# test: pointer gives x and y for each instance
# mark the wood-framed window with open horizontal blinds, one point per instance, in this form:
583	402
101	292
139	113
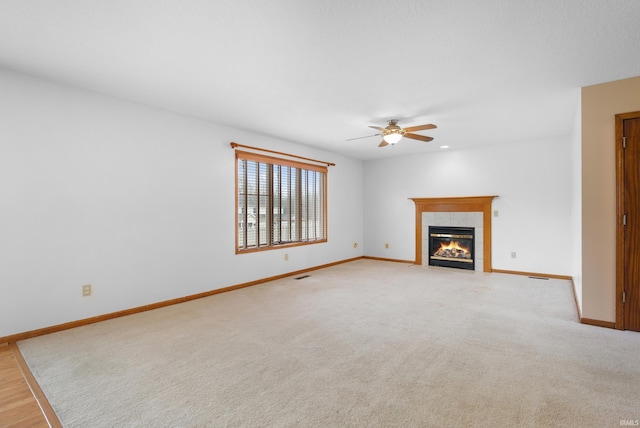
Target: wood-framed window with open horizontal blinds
279	202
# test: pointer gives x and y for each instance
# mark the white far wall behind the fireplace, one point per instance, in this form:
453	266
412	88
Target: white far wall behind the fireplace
531	178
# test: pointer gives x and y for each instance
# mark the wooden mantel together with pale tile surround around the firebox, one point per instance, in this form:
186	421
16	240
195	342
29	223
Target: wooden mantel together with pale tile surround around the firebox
468	211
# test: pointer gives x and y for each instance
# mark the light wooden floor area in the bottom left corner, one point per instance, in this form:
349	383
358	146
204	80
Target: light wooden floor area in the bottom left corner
22	403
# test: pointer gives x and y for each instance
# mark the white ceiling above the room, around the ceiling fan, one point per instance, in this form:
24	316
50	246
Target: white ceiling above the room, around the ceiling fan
318	72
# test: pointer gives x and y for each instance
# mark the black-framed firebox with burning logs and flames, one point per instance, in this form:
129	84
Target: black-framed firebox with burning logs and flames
452	247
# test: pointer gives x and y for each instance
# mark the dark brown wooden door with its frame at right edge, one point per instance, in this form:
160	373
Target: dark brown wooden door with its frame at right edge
628	221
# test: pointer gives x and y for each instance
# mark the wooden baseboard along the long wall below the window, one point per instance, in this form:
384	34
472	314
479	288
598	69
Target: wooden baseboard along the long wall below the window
60	327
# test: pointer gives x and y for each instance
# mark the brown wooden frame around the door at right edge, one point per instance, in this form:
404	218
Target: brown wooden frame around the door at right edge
620	262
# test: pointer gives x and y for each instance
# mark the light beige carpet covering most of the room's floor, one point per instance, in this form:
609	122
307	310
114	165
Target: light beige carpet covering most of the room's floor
365	343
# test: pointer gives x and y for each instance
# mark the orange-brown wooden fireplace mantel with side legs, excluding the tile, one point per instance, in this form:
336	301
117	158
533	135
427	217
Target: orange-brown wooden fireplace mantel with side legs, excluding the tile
456	204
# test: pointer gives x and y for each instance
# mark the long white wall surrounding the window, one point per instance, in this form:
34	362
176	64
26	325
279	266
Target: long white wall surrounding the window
136	201
